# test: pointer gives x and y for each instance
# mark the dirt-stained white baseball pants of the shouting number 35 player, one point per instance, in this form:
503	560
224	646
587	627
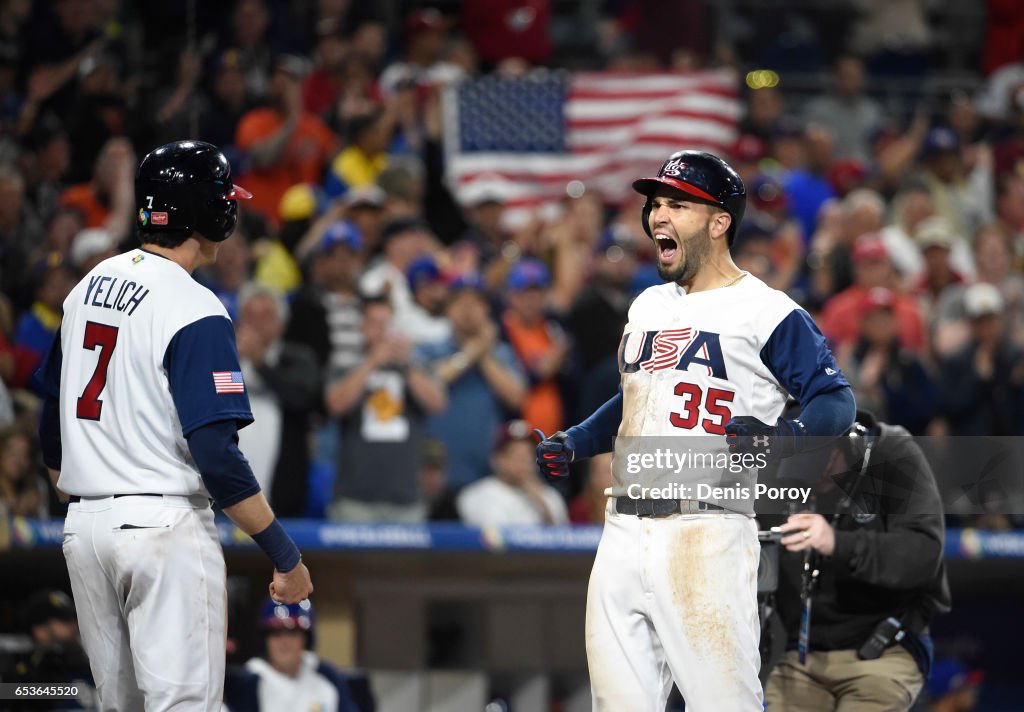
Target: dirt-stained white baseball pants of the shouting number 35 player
675	599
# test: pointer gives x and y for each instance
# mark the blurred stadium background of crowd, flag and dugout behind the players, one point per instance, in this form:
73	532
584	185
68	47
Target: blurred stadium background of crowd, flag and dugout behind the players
468	164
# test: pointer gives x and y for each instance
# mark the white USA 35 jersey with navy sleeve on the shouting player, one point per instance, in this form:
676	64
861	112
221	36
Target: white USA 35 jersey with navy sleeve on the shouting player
690	363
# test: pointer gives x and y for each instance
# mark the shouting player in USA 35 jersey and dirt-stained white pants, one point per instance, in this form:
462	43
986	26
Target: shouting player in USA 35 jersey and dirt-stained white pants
707	361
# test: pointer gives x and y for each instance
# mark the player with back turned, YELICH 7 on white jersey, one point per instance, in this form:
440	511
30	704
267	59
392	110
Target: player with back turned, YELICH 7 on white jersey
140	429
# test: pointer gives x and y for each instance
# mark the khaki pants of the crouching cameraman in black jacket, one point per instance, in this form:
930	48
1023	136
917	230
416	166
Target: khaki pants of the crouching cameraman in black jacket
839	682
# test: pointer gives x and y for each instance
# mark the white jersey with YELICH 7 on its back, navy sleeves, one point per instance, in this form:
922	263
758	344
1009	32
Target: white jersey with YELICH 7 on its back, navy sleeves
147	357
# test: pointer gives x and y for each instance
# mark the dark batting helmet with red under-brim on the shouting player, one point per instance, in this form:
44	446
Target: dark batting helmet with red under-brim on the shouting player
703	177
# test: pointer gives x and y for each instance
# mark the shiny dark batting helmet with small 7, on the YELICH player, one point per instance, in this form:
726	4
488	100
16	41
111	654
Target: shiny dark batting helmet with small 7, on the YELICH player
186	188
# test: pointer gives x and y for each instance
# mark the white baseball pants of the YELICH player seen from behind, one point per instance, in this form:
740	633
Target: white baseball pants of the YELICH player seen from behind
149	580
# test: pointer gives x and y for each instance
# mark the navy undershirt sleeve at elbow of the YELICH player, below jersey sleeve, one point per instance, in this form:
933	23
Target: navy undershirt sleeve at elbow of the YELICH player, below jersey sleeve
226	472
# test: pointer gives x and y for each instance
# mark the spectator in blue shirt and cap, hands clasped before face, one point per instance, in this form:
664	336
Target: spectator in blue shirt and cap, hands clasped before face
484	378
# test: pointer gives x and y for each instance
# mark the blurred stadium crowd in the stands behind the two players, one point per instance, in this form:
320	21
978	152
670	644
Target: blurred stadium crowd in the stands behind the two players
400	346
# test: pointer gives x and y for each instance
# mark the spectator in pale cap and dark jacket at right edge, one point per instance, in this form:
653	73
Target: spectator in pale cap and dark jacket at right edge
983	384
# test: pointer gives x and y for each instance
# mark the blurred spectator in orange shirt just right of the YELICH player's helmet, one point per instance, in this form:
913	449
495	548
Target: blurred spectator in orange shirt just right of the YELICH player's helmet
283	144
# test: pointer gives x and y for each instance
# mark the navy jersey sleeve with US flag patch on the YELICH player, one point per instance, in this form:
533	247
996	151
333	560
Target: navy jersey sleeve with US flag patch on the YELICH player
194	356
